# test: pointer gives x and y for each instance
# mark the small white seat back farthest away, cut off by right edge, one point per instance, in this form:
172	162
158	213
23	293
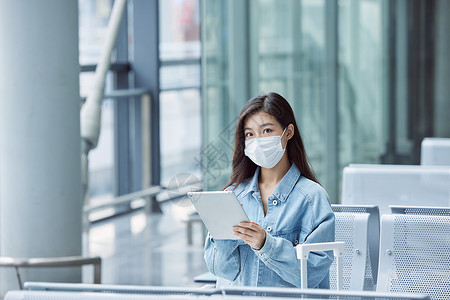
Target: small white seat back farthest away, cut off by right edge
435	152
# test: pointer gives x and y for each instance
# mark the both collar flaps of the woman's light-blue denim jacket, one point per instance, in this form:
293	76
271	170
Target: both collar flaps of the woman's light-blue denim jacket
284	187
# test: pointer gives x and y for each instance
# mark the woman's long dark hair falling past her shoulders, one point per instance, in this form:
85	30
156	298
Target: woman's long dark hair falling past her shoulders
276	106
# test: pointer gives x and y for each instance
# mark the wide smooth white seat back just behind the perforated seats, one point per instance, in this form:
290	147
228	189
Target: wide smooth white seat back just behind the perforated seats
385	185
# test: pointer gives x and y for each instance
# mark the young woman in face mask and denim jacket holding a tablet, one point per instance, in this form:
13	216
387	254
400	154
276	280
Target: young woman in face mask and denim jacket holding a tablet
279	192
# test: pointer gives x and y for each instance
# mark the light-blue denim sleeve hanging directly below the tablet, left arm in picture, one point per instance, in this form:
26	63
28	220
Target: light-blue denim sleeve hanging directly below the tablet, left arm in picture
222	257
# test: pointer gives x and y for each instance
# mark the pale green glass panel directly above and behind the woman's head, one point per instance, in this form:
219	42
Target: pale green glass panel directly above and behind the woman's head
292	61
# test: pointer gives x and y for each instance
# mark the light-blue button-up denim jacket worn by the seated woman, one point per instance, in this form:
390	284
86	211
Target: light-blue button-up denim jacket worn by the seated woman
299	212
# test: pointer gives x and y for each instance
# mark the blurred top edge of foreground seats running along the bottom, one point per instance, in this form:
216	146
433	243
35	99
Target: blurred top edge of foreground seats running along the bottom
77	291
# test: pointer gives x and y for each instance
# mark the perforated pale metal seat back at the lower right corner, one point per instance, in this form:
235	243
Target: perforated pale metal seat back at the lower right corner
415	253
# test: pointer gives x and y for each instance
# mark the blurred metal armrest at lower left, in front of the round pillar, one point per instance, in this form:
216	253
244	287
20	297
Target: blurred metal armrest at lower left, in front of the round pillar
68	261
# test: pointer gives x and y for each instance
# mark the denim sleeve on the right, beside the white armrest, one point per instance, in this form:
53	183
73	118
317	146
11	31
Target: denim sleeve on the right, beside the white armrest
280	255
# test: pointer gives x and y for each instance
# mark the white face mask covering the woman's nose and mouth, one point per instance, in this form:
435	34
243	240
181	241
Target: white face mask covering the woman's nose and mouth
266	152
